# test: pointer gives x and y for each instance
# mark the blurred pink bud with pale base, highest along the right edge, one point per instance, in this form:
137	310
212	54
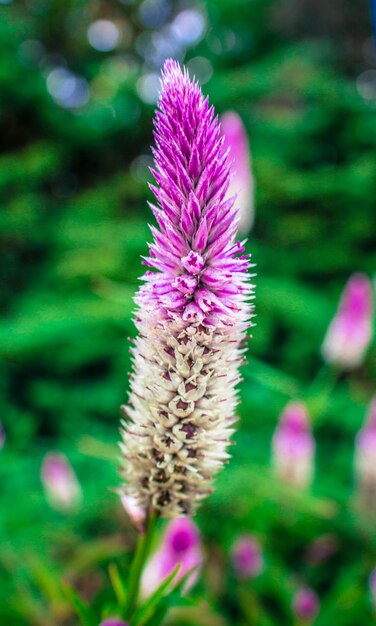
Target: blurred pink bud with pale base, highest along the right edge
350	332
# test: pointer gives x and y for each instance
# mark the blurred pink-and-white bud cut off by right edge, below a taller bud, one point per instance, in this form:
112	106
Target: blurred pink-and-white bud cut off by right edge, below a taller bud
365	460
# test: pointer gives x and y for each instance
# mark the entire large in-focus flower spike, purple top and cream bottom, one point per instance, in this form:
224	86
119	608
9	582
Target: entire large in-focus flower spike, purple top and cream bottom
192	314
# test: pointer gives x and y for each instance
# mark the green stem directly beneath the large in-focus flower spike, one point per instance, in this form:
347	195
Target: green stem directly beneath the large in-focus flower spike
142	551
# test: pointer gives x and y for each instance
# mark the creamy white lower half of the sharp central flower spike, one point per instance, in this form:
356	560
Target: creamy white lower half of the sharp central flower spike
181	410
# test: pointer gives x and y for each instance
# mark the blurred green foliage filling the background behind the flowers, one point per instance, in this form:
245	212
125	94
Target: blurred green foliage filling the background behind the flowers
73	224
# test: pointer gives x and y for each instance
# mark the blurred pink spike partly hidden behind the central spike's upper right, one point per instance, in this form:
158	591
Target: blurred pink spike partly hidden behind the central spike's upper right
242	182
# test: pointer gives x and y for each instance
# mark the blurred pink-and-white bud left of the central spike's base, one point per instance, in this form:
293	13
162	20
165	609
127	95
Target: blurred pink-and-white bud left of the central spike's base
59	481
